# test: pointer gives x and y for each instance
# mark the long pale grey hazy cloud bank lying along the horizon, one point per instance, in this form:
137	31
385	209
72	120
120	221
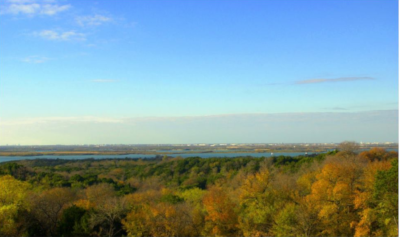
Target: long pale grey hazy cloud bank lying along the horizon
376	126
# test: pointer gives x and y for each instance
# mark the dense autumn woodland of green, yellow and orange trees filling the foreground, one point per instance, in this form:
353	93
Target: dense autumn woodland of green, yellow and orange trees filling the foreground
340	193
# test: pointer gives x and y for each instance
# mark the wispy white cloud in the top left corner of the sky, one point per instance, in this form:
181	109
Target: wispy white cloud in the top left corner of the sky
33	7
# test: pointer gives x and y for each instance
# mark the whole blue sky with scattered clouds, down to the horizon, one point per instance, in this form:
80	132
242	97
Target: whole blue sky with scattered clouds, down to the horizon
129	72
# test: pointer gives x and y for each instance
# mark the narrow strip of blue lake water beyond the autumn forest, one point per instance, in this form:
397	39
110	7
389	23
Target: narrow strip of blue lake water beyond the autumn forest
98	157
